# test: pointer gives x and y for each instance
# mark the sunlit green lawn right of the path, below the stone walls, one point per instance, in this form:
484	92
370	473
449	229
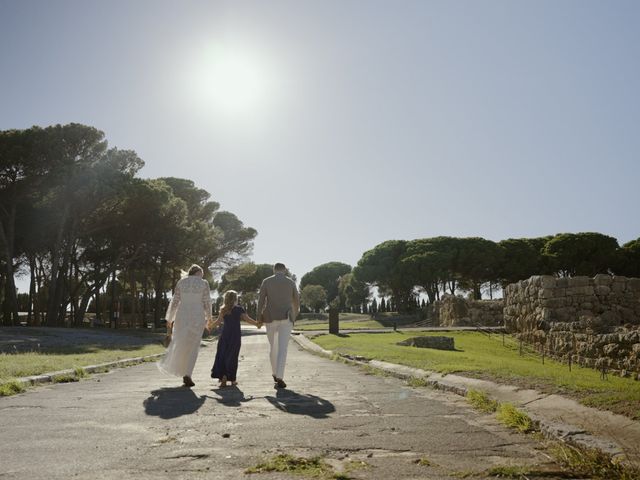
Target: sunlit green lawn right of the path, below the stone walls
483	356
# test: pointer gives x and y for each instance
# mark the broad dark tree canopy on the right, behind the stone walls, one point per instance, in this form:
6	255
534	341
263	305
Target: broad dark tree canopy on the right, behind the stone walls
450	264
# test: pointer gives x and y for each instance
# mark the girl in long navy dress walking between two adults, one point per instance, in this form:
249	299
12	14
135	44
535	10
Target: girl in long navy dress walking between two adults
225	366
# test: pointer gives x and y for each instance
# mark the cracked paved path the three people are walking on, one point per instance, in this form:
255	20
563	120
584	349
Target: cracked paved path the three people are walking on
137	423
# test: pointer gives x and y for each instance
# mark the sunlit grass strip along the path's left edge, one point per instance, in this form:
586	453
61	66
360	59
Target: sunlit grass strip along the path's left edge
13	365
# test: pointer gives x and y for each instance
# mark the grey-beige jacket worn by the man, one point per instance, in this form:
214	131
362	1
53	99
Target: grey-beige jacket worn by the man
279	299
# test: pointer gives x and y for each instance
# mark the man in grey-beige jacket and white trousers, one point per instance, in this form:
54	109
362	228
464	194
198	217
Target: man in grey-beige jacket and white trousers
278	307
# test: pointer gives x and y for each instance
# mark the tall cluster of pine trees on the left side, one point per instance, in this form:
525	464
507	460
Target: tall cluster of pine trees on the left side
74	216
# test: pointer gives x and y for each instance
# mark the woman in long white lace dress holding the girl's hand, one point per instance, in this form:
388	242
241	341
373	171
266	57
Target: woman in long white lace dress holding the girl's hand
188	313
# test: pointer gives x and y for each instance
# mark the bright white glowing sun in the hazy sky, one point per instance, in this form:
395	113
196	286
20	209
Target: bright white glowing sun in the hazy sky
229	80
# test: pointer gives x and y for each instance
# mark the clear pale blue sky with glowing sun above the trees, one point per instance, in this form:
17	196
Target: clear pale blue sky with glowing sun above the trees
331	126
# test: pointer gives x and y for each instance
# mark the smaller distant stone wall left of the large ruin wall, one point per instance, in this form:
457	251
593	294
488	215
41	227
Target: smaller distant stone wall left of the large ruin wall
452	311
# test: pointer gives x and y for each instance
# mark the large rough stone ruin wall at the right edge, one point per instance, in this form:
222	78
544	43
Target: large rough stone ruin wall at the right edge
594	322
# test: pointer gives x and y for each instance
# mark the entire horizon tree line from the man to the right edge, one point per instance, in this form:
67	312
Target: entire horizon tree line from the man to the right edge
403	271
